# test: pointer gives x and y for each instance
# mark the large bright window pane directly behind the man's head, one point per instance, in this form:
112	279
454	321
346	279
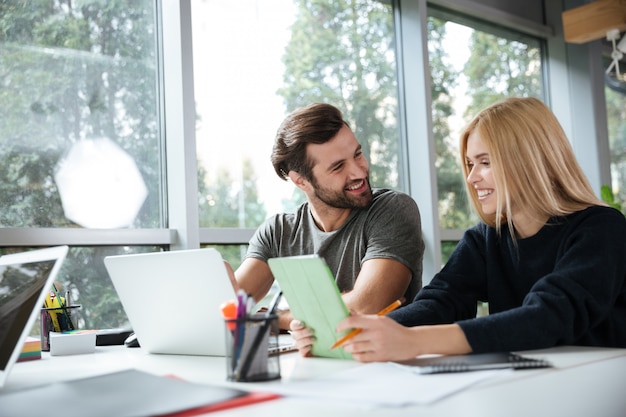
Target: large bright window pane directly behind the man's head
257	60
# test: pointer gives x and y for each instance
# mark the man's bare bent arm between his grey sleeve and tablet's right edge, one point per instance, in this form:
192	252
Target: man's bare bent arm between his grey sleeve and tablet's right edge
380	282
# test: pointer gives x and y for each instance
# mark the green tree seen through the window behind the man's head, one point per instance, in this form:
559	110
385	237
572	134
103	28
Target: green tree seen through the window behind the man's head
351	65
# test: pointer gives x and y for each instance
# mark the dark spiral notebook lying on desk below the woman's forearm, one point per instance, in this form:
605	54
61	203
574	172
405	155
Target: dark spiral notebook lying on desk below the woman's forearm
474	362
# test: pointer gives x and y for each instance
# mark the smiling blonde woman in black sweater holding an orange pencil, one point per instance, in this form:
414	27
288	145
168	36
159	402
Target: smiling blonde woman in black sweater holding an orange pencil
548	256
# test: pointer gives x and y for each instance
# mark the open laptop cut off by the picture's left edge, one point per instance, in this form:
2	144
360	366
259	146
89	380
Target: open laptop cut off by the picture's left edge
25	280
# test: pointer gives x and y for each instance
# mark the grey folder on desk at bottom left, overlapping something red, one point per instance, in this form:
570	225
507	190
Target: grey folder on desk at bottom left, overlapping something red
130	393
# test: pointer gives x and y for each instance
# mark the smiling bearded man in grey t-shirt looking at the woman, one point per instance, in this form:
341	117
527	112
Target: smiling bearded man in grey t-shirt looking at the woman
371	239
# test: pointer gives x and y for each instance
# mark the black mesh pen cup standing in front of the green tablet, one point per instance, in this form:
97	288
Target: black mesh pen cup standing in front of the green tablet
247	348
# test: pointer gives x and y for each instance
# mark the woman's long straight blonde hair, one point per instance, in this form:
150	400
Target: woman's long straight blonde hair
532	161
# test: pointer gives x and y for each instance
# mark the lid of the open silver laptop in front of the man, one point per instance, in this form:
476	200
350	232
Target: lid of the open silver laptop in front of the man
172	299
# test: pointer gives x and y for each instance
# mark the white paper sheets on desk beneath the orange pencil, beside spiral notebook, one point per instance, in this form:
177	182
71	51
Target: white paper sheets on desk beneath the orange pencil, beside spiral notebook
383	385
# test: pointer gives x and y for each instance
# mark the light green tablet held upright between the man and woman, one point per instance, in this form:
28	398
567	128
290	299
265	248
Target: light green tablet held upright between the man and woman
310	289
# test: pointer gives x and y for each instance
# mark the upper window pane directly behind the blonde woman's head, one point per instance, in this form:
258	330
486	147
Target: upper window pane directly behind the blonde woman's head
472	66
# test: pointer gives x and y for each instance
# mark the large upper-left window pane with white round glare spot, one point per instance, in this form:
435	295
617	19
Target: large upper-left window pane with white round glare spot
79	139
